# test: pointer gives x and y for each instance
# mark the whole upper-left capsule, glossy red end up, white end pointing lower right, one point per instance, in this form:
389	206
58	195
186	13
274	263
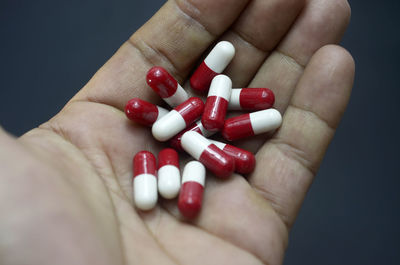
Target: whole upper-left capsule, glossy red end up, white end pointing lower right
166	86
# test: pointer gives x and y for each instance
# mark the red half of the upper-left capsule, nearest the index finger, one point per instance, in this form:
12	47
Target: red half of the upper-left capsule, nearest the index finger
161	81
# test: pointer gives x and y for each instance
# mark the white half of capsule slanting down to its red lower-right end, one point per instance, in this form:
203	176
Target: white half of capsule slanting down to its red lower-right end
194	143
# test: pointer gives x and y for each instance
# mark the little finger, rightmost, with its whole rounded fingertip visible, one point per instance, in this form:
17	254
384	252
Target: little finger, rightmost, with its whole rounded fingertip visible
291	158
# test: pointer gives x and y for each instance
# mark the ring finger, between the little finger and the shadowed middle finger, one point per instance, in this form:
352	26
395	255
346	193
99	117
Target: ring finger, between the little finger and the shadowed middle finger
321	22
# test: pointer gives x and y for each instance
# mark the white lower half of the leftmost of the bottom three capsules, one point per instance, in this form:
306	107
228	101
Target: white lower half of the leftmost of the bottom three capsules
145	192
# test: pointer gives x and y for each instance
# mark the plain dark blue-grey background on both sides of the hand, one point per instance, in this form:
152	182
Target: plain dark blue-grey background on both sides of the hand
50	49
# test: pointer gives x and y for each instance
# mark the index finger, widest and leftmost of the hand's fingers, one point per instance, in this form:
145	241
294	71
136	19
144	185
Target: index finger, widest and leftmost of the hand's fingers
174	38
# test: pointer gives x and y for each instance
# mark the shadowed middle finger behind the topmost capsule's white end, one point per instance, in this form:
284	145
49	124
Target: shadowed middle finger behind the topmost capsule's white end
256	32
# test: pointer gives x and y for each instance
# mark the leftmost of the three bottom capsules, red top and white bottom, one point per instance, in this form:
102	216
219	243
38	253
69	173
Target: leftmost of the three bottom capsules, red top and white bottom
144	180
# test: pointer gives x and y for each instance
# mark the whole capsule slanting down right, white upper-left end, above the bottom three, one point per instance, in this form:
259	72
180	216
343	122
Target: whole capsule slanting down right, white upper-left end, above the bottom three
213	158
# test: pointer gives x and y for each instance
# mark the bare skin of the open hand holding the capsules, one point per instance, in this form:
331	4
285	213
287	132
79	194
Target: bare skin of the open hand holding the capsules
68	198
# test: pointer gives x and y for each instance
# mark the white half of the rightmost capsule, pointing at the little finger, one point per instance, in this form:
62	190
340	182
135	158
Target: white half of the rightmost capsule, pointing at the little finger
265	120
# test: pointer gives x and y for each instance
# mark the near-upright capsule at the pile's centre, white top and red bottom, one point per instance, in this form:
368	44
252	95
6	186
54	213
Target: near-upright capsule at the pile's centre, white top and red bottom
216	105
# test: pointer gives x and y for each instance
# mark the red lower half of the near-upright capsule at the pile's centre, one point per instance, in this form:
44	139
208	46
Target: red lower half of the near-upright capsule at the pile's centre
213	118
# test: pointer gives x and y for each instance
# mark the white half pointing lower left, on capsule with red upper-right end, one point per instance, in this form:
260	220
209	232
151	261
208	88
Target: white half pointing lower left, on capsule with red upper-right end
168	126
